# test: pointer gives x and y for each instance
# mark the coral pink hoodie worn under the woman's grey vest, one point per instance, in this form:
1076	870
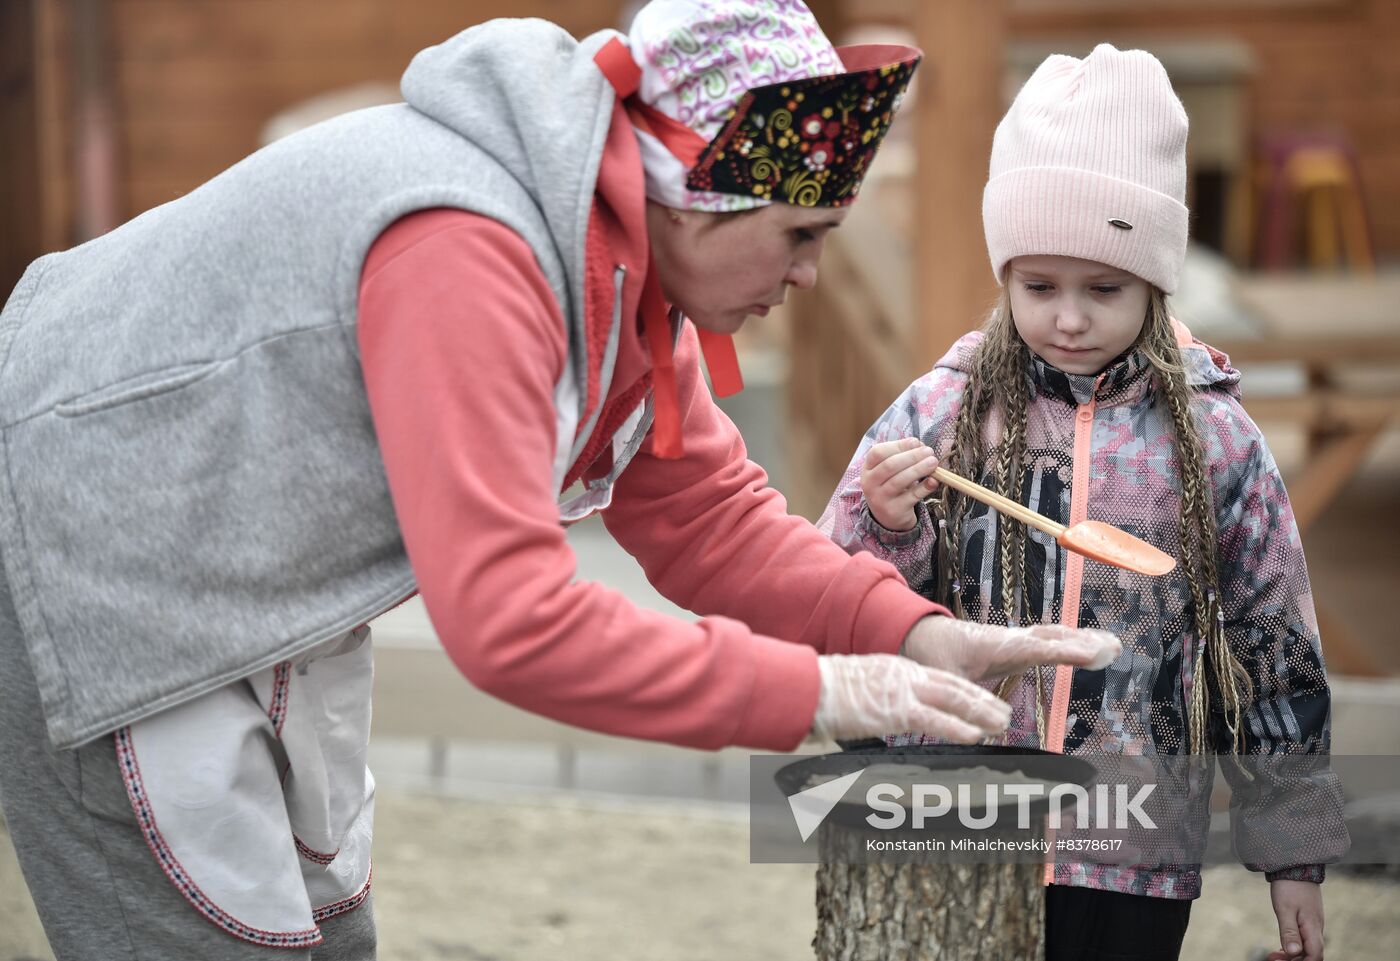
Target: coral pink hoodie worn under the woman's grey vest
461	345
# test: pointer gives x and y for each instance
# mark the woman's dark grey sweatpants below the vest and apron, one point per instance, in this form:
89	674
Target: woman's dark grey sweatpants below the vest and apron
96	883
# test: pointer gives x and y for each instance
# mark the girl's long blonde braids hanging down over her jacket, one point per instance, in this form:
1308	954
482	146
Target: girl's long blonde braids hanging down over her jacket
997	393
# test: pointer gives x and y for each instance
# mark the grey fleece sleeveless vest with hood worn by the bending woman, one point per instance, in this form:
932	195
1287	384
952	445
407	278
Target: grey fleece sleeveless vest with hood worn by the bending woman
191	488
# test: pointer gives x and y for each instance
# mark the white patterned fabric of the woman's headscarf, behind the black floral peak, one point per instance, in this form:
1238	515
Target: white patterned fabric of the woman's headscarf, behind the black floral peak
698	58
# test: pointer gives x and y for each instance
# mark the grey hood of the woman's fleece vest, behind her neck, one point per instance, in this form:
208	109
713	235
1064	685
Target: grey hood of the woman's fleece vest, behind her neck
530	96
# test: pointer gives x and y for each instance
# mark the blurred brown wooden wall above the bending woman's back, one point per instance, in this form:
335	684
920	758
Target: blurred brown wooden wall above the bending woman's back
190	86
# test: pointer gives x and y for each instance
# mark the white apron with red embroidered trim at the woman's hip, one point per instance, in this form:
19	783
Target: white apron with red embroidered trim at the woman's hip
257	799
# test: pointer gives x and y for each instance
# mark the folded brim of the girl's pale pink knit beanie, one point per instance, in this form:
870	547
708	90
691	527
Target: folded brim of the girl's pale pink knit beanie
1067	212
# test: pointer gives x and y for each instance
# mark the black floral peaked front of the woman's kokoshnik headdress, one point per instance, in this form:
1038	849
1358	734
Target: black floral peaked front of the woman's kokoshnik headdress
810	142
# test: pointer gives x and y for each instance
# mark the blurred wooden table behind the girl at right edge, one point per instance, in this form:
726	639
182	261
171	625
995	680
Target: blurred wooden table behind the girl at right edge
1328	324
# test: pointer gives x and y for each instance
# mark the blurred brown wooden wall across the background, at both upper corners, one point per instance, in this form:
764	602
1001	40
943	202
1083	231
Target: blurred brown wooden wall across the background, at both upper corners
191	83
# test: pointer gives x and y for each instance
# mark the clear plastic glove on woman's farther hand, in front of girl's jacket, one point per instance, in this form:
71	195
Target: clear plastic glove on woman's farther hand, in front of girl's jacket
983	652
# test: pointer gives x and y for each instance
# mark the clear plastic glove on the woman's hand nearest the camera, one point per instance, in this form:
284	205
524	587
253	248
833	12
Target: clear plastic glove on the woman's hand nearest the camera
869	696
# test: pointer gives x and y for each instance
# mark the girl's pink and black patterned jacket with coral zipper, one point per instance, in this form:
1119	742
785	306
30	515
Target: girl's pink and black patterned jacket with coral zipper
1100	448
